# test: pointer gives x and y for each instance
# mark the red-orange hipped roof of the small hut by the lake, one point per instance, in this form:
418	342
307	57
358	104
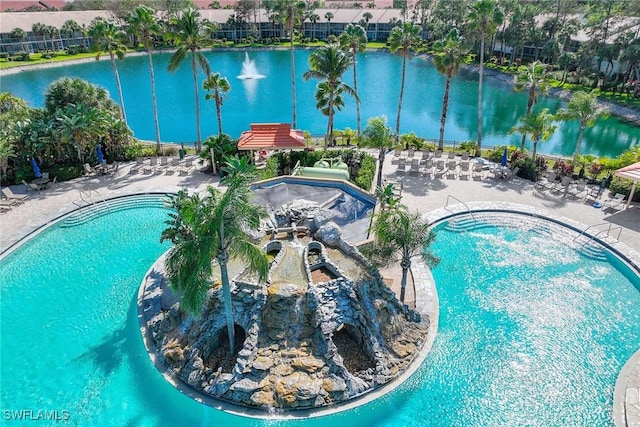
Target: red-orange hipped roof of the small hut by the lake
271	136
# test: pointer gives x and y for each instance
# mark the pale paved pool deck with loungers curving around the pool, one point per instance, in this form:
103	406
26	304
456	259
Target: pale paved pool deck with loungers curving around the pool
435	197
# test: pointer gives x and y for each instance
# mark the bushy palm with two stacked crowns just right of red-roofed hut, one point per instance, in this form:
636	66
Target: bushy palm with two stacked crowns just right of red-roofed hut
329	63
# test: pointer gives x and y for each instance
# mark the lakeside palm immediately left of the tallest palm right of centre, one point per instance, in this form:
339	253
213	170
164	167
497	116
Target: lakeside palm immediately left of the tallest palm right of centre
449	55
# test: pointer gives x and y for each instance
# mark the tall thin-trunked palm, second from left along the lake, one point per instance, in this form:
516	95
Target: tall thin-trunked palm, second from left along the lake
144	24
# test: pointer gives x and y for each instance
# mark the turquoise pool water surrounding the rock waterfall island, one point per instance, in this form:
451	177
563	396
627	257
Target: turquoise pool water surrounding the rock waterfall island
526	336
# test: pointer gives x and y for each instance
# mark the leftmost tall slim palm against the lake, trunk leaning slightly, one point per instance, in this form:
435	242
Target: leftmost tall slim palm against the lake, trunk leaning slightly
108	38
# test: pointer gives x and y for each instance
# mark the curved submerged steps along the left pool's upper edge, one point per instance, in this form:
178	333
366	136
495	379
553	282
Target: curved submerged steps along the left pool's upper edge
90	212
